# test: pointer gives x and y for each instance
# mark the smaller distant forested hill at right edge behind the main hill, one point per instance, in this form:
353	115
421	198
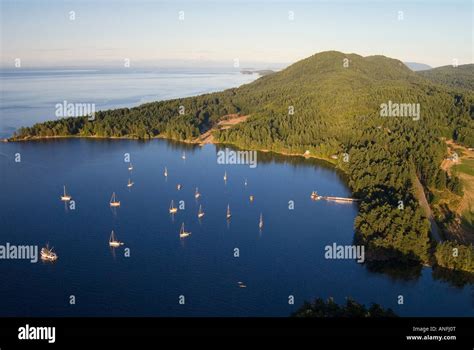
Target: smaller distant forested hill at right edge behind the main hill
457	77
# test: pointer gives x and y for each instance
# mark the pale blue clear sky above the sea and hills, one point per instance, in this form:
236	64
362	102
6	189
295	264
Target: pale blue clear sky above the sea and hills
261	33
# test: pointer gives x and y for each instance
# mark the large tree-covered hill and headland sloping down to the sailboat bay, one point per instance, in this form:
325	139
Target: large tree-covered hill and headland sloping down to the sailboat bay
329	103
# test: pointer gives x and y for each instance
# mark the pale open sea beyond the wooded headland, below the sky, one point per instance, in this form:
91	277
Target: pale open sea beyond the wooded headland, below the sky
28	96
